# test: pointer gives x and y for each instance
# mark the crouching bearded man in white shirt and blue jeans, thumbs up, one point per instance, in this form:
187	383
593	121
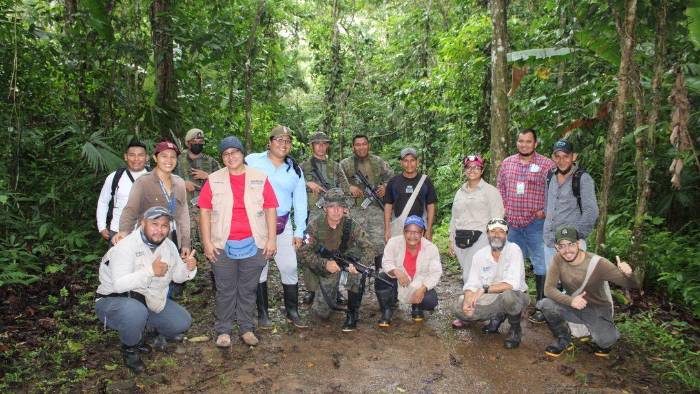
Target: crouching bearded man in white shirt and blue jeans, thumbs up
134	279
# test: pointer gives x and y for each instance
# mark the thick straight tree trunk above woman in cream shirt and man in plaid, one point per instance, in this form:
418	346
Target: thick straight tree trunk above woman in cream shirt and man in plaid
499	98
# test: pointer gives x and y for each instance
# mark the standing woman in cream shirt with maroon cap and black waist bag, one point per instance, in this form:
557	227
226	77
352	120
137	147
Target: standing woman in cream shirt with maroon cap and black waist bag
475	203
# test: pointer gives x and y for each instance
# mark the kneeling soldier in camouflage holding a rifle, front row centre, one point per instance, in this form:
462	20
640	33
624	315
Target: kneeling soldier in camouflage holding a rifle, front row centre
333	232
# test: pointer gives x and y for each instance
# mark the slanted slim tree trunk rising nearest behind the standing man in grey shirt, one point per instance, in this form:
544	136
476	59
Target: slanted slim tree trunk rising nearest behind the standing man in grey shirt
617	127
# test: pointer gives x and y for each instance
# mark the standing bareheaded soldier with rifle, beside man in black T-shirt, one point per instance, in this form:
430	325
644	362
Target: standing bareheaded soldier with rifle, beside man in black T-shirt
368	213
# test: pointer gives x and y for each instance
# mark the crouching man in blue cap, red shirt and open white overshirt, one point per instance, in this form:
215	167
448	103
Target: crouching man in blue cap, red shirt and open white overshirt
413	263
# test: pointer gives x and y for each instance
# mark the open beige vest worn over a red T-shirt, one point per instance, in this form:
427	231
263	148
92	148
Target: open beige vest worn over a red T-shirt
222	205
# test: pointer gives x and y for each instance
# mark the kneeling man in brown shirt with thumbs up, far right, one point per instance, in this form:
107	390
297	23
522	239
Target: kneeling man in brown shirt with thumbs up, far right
587	301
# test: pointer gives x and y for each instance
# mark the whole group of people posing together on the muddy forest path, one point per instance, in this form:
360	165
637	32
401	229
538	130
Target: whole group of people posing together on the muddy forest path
342	222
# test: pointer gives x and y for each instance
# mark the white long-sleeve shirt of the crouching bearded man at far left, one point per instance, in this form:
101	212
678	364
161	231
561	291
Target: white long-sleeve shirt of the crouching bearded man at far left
128	266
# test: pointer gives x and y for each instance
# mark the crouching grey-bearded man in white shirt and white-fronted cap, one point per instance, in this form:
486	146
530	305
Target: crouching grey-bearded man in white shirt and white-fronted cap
496	286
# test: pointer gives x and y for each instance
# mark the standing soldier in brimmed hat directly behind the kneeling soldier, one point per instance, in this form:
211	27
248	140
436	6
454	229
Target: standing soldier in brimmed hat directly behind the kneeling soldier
321	175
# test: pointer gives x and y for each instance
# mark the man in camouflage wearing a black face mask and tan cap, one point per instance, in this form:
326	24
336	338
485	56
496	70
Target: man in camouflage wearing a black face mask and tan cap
194	167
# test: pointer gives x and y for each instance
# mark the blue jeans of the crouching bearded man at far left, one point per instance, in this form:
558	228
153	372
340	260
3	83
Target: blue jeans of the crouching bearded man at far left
130	317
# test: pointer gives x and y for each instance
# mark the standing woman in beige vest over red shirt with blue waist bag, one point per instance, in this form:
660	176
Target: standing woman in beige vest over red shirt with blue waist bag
238	229
